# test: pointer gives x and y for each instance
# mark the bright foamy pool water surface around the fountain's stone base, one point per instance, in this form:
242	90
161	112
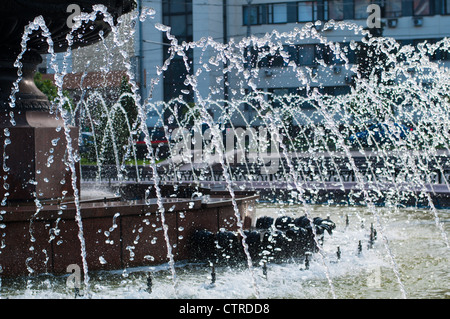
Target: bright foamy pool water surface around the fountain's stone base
420	254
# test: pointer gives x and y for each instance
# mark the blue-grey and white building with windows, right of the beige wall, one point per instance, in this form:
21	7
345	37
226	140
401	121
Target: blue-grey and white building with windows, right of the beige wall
225	21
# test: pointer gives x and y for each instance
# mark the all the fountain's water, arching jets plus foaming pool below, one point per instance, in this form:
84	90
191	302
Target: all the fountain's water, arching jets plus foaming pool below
290	154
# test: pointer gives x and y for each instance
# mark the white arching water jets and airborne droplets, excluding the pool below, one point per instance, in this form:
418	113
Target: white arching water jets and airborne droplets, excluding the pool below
324	128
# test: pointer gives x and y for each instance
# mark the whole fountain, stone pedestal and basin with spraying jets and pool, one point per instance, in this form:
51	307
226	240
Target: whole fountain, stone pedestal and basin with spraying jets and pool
369	153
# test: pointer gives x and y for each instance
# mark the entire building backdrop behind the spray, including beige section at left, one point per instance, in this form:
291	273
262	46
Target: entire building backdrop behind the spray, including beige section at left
223	22
